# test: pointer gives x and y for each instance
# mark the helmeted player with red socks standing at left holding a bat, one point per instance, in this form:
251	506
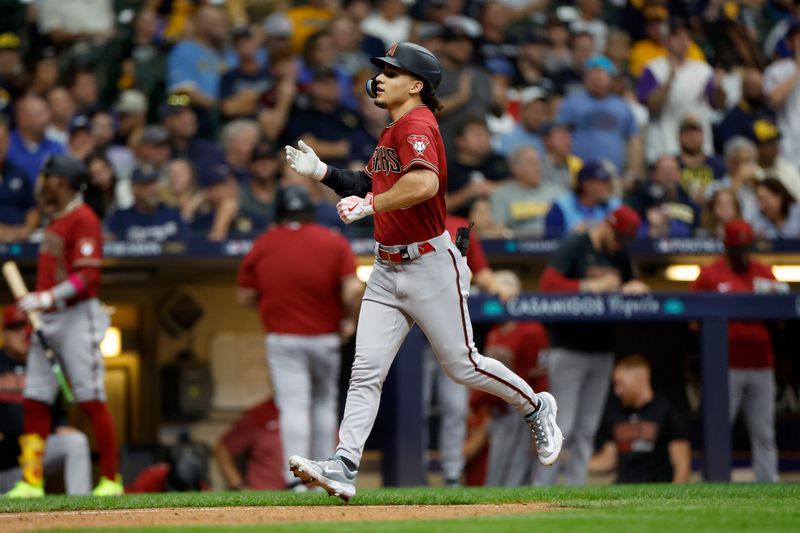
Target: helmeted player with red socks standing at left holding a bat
73	323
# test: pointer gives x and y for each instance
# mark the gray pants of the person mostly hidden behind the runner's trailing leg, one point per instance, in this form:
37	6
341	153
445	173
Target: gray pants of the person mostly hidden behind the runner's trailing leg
453	401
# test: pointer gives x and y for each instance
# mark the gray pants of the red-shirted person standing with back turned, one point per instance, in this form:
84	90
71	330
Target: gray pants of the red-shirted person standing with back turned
305	381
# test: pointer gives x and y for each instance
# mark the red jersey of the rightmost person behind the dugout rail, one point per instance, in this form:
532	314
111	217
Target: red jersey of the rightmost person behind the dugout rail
749	343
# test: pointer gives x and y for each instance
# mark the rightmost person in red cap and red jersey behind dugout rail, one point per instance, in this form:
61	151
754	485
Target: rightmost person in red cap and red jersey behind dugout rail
750	356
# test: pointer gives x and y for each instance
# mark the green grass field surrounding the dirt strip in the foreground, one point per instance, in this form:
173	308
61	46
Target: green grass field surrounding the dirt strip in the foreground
612	509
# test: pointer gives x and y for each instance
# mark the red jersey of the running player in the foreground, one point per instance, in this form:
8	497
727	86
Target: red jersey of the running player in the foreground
412	141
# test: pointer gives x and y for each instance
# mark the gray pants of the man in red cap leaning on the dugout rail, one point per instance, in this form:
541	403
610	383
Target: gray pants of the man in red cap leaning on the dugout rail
580	381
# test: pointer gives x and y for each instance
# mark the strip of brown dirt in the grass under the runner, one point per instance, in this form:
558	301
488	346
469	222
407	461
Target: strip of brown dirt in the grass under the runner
14	522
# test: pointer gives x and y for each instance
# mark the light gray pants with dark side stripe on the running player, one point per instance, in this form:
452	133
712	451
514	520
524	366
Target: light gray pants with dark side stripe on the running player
432	291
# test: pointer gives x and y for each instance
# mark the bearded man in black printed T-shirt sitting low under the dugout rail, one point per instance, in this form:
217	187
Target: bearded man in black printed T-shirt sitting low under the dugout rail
643	436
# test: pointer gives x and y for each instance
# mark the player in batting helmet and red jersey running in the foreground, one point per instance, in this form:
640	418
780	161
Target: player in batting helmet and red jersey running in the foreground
419	274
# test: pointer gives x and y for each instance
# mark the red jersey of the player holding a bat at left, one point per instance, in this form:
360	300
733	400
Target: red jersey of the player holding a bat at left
72	242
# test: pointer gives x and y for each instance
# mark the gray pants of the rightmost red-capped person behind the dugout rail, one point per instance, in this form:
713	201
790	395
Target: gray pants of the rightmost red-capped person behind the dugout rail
754	391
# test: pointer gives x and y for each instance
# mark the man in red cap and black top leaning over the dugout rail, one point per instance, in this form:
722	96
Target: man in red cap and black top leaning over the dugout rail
581	357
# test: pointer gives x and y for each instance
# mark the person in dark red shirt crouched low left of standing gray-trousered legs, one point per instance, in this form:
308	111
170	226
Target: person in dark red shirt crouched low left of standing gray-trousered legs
257	434
